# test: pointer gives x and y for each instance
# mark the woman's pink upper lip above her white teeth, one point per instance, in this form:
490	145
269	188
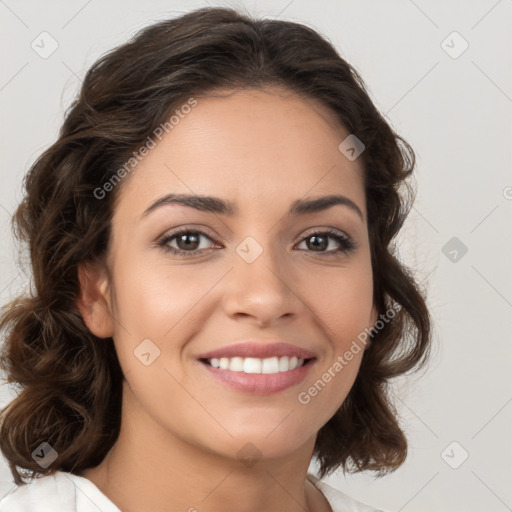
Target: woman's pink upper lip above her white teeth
259	349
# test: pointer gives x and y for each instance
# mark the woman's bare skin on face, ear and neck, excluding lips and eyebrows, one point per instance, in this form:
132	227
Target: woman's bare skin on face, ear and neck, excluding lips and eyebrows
181	429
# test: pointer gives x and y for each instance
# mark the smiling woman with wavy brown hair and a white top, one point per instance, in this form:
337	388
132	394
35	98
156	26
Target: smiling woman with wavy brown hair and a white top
216	296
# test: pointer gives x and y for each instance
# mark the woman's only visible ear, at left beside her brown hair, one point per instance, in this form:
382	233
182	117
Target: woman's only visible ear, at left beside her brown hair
93	299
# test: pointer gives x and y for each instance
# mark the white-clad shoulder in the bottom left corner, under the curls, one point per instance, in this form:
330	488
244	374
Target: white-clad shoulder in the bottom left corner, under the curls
60	491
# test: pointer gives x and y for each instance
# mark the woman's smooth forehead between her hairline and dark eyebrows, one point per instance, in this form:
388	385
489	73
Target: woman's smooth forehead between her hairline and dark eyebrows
255	147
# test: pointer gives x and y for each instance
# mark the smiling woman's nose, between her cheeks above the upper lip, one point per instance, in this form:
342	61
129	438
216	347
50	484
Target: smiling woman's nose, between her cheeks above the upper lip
264	290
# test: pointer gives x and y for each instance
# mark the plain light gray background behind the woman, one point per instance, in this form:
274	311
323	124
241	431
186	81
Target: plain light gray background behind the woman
455	112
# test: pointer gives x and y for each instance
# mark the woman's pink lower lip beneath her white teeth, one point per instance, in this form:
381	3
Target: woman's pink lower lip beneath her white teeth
260	383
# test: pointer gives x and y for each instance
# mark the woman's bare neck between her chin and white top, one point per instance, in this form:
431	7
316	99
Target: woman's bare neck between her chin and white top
160	472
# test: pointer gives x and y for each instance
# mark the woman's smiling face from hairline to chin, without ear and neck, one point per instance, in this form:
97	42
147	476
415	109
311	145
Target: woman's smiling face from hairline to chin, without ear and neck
257	274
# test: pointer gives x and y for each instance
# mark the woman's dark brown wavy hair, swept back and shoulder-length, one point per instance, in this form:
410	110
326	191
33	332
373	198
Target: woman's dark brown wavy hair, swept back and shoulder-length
69	380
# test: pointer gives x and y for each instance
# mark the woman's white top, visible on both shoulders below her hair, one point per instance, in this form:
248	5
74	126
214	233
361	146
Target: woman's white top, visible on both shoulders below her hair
65	492
